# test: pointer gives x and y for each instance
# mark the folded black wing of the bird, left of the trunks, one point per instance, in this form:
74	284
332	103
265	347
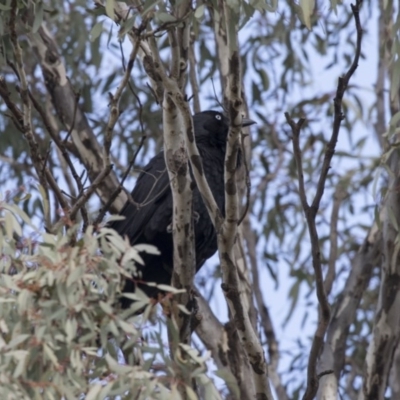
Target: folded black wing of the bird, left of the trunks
150	192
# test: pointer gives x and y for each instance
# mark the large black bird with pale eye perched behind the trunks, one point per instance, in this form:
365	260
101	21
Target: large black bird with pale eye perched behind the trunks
150	220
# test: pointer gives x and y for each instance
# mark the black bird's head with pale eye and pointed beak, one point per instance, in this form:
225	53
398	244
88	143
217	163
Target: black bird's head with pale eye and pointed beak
214	126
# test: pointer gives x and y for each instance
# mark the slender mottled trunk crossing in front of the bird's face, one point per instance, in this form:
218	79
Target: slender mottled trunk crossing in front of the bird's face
226	237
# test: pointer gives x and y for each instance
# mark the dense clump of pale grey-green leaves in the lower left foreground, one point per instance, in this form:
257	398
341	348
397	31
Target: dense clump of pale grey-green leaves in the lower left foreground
63	334
